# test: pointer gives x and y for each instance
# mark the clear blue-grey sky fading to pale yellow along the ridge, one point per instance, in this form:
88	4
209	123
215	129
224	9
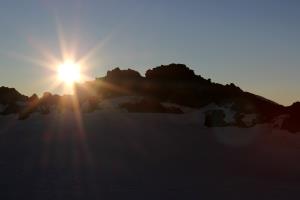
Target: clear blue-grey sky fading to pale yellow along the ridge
252	43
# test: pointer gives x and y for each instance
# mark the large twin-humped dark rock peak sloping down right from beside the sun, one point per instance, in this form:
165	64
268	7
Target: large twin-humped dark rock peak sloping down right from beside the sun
176	83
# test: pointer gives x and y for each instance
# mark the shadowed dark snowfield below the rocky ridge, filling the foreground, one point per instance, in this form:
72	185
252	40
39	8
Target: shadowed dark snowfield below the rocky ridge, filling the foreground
112	155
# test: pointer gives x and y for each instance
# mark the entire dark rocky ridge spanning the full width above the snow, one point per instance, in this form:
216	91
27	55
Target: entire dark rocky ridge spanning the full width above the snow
173	83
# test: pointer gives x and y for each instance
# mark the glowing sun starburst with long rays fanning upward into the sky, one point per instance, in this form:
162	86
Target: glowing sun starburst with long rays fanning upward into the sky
68	53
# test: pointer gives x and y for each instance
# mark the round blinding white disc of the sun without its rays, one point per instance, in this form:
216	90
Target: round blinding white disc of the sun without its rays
69	72
